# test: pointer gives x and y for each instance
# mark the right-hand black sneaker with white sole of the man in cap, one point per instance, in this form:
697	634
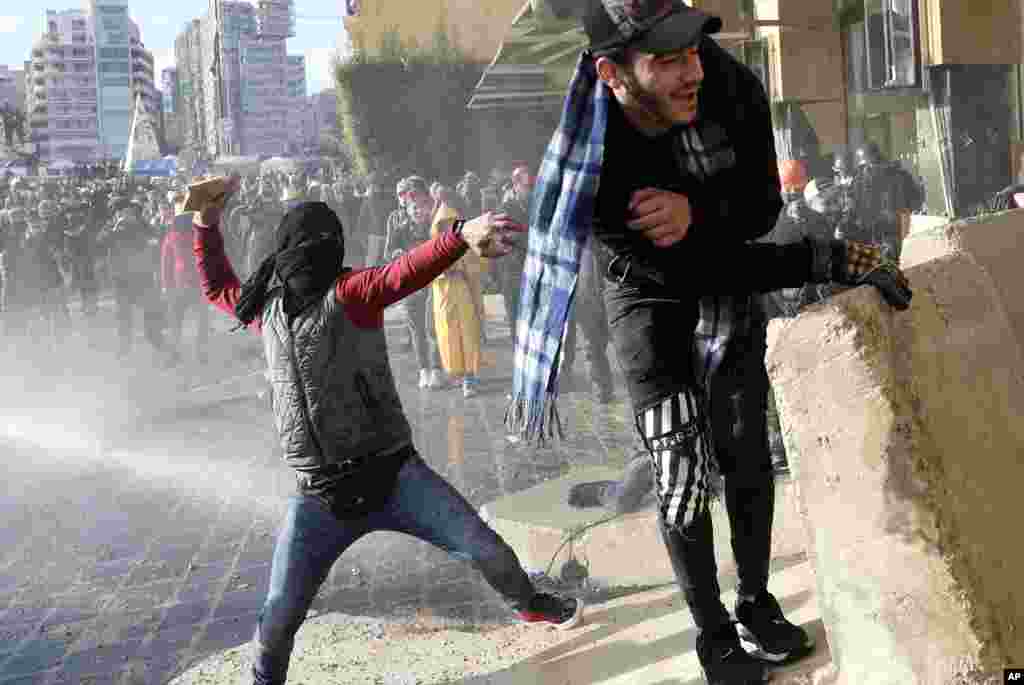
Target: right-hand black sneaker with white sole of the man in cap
772	636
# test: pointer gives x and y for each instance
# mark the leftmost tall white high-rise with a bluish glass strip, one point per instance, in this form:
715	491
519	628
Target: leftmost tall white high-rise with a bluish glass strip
87	69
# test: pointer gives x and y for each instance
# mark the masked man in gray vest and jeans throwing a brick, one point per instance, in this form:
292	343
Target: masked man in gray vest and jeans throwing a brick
339	415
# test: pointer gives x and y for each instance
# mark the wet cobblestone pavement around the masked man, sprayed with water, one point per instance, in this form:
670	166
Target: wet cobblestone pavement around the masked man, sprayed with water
130	565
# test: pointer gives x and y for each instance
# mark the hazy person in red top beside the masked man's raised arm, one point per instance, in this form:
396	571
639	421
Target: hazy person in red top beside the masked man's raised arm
180	282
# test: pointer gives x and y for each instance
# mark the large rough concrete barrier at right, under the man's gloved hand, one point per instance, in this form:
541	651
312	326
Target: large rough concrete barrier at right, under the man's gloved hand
905	436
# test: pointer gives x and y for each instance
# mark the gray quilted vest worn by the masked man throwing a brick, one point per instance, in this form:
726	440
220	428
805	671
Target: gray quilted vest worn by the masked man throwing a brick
342	373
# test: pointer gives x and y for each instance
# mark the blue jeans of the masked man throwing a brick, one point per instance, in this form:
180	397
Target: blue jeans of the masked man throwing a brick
312	539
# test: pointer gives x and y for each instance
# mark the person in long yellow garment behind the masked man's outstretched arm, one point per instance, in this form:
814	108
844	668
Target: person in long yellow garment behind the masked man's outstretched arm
458	309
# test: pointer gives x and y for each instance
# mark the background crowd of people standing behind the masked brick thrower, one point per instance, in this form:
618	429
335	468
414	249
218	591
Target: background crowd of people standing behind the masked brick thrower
67	241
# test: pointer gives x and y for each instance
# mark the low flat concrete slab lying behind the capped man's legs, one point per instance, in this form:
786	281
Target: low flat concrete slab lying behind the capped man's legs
626	551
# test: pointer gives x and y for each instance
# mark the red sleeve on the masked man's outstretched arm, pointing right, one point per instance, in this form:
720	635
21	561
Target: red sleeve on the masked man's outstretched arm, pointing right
367	292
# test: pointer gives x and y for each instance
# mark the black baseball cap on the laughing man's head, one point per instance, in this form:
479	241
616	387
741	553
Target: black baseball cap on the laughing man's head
658	27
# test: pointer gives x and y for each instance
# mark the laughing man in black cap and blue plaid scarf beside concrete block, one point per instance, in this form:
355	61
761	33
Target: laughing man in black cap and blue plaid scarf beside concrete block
661	131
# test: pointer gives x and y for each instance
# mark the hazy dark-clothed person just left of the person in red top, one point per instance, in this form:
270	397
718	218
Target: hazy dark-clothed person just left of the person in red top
134	255
